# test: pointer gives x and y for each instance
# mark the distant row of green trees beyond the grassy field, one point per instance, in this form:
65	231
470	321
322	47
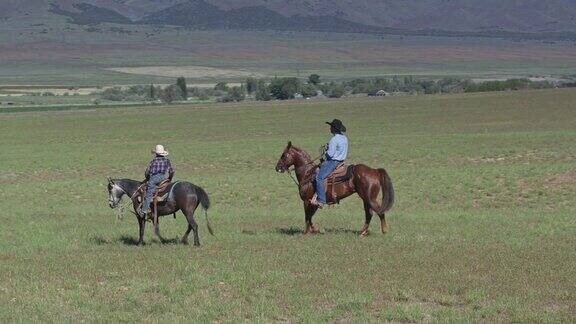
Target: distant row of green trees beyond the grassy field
290	87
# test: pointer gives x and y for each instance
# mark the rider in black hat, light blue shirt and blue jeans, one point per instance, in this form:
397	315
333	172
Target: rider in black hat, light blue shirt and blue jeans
336	153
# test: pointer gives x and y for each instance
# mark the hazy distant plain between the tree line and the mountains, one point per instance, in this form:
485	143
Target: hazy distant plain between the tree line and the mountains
82	56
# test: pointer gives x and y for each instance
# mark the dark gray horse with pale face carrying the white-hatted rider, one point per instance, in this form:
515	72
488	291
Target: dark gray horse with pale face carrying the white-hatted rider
182	196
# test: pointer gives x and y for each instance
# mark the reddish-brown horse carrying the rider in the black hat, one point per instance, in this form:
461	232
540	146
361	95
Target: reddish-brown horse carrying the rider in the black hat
365	181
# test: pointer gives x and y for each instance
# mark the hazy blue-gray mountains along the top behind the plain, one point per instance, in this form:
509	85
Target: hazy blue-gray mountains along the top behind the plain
530	16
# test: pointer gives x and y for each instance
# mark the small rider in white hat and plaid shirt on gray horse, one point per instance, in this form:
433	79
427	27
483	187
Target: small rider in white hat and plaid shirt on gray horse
158	170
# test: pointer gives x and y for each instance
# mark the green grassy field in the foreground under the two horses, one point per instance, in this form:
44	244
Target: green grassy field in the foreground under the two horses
483	228
